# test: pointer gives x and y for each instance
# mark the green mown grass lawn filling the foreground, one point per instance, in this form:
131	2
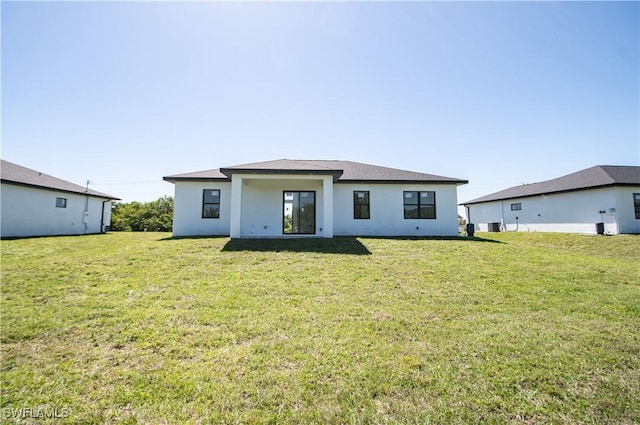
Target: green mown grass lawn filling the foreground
141	328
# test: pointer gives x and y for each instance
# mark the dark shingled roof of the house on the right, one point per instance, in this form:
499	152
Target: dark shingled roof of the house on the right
594	177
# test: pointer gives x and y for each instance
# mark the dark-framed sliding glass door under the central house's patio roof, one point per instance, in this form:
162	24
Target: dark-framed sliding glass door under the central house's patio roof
299	213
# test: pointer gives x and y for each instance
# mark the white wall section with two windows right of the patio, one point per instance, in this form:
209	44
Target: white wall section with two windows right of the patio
387	211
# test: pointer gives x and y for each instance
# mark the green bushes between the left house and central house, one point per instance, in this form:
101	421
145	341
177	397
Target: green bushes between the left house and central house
154	216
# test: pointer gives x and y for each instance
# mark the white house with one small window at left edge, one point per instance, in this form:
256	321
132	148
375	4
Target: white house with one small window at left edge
36	204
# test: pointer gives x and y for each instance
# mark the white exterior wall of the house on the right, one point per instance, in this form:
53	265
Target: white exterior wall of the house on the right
571	212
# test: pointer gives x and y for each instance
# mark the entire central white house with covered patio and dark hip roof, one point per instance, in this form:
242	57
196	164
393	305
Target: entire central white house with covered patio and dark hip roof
291	198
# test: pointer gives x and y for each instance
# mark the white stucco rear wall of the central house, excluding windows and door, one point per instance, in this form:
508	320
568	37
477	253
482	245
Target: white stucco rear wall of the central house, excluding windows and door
261	208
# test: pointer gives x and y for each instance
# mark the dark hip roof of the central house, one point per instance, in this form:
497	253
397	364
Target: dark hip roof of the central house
343	172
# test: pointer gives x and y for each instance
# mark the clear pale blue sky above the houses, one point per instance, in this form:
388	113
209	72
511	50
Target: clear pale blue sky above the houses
498	93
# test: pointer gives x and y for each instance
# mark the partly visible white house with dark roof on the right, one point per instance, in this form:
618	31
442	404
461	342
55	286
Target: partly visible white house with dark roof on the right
600	199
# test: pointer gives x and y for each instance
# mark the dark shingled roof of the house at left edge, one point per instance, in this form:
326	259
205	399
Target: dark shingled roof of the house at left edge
15	174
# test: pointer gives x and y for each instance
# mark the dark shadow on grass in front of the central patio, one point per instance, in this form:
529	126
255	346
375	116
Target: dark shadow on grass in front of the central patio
337	245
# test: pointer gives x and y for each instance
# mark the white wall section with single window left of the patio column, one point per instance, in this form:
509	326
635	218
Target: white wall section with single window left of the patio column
187	209
